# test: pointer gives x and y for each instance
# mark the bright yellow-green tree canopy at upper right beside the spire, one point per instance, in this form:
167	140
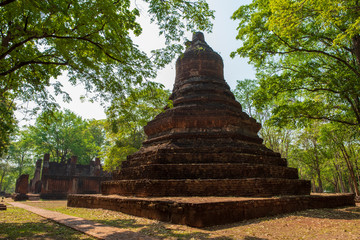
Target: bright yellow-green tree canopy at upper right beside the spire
307	57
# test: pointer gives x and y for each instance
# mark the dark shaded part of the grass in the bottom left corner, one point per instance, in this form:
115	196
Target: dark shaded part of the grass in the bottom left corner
38	230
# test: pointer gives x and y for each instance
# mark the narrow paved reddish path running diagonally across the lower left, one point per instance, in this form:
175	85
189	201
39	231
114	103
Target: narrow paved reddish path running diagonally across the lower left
91	228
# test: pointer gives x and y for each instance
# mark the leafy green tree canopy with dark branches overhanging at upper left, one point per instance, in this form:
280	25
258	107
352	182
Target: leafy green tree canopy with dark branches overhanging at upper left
90	40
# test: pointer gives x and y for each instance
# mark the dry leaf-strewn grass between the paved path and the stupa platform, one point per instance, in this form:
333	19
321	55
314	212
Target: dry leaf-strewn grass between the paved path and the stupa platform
342	223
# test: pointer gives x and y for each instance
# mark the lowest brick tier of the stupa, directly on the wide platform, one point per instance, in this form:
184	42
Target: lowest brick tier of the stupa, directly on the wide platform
254	187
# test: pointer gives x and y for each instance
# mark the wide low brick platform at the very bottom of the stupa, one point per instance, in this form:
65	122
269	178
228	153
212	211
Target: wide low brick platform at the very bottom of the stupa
209	211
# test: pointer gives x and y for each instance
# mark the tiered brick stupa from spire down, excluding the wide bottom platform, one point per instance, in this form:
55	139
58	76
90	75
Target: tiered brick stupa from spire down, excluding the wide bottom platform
205	145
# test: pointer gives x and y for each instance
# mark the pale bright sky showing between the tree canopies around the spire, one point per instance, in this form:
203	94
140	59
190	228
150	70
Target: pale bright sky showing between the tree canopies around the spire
222	40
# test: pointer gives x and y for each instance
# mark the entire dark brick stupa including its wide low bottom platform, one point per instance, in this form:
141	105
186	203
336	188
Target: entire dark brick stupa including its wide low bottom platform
203	163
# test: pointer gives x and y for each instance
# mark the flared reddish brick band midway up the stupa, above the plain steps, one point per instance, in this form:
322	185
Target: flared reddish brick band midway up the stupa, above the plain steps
207	126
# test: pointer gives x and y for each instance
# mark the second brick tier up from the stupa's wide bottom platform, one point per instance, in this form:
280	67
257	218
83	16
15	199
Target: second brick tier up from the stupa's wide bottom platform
205	171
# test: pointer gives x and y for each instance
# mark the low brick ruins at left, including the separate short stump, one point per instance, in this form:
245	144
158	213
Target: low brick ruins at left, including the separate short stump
57	180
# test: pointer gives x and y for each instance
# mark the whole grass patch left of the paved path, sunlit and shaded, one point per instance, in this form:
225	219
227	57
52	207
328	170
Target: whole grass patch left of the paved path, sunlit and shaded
17	223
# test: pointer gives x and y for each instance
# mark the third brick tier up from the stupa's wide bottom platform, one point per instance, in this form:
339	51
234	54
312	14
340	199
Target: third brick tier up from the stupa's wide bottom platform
188	158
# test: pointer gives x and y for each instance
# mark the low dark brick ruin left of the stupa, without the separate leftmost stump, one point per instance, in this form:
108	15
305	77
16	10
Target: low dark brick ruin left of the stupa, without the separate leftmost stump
60	179
